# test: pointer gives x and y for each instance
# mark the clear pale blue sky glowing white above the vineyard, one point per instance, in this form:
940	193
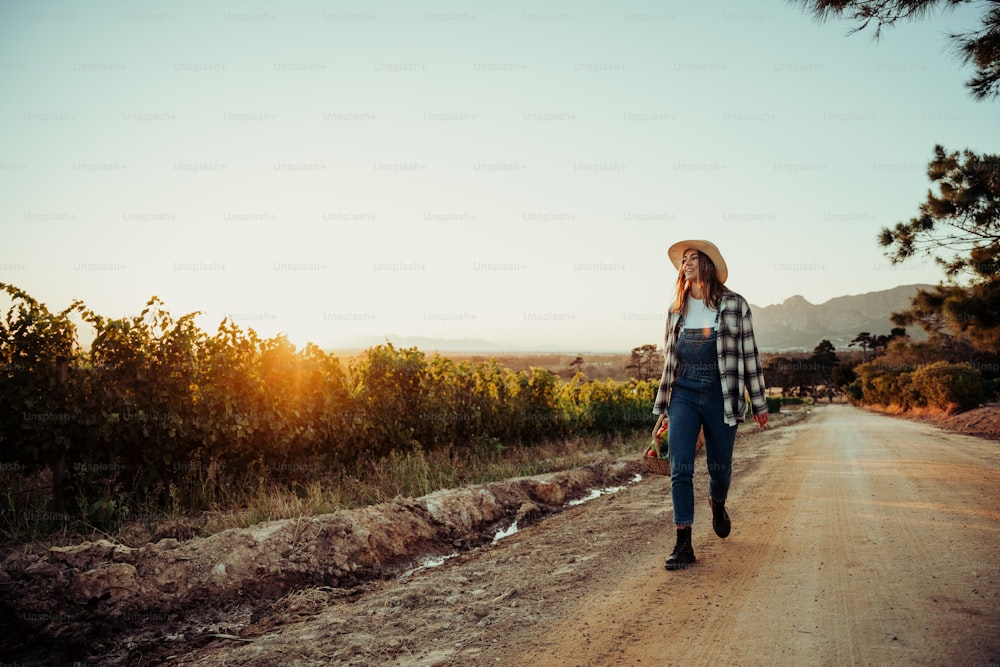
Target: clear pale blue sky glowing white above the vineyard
508	171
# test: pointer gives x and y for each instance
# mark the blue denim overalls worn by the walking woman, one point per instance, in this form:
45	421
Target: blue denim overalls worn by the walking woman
696	403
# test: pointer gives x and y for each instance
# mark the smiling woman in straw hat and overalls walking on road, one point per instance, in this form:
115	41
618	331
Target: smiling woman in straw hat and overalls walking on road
711	362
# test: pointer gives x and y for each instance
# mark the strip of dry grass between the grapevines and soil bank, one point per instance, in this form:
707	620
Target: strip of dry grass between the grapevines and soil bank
215	499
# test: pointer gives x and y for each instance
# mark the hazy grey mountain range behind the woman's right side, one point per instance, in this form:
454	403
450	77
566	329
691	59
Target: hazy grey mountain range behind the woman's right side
796	324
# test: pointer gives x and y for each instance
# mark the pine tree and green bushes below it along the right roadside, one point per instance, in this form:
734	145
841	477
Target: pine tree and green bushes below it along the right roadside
959	227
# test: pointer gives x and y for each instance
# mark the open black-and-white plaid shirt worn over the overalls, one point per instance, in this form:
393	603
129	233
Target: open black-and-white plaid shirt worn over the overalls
739	362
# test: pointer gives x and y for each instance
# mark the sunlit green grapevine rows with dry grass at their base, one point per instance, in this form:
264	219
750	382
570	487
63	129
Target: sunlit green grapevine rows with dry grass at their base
158	421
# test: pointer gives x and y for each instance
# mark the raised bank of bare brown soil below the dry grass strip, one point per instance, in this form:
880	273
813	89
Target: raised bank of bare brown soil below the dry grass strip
87	593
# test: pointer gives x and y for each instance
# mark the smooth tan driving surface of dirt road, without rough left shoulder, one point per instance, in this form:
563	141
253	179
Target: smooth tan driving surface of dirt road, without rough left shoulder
861	540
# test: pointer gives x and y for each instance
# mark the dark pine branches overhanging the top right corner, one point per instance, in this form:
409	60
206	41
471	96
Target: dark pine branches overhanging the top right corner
980	48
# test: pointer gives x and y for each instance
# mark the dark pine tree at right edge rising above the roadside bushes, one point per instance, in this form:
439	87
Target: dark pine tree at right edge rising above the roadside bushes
962	223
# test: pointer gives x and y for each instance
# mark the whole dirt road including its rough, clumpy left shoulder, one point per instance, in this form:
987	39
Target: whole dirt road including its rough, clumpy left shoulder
857	539
